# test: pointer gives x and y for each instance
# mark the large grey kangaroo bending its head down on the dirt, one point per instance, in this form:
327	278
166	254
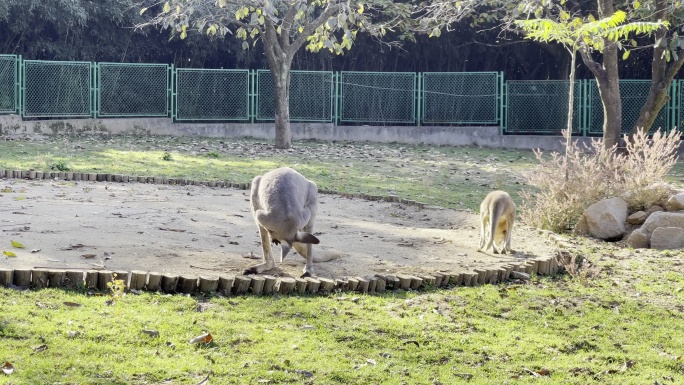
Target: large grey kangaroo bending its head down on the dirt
284	205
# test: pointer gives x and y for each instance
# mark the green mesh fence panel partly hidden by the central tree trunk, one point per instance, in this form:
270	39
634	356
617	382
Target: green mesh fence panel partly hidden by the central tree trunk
311	96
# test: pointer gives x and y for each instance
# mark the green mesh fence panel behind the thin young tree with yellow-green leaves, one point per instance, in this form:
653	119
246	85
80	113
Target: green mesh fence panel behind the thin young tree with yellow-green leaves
541	106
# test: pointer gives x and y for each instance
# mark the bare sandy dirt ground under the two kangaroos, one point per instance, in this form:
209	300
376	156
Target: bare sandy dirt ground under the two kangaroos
210	231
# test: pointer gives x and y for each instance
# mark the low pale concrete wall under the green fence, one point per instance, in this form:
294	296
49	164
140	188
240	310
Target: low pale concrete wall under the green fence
437	135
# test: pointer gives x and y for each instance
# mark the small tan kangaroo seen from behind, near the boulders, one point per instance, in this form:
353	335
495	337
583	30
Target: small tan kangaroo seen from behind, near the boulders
497	214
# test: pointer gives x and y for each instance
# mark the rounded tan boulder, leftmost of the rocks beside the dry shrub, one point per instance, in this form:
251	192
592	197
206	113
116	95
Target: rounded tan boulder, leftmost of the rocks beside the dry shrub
606	219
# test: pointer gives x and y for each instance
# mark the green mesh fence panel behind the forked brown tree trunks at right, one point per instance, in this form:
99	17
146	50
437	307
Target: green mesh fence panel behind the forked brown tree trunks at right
633	94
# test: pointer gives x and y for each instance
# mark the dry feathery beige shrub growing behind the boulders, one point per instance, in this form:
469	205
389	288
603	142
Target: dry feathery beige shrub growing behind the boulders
566	184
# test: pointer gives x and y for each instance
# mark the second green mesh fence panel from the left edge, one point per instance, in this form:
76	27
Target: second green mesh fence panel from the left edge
57	89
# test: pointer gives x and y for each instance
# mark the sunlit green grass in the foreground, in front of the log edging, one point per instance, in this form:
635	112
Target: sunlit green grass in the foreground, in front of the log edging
577	330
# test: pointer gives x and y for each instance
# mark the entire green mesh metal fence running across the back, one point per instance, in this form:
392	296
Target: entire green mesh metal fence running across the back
60	89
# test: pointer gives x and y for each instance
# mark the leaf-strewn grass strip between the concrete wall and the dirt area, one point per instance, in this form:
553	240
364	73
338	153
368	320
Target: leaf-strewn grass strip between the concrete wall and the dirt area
455	177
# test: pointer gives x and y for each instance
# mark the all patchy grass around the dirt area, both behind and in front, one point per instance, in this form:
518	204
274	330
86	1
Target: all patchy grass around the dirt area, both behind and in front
615	321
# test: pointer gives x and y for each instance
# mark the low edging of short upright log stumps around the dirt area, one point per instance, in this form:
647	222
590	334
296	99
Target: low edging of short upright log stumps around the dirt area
240	284
